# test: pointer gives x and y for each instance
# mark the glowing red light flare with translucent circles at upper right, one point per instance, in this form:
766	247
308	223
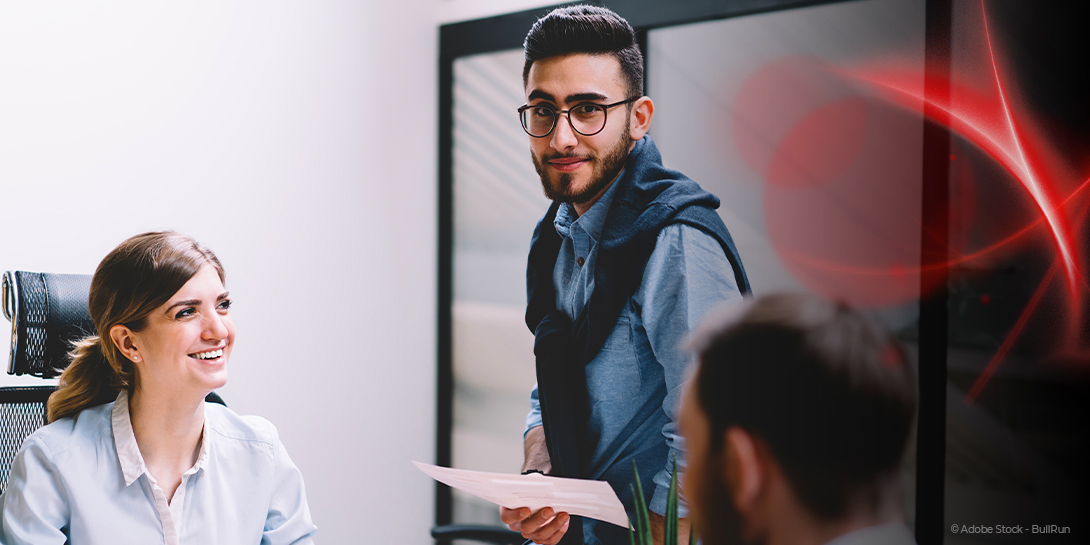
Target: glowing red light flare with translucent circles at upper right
840	156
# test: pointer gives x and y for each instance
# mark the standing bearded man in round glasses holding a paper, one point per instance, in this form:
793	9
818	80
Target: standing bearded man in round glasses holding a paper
626	262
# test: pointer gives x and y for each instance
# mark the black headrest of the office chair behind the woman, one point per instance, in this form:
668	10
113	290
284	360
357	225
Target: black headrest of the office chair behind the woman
49	313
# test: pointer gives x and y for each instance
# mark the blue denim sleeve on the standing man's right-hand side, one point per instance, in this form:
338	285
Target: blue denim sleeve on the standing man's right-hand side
687	275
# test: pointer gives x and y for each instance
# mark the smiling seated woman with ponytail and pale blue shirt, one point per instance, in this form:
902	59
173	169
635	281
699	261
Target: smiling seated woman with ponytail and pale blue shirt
134	455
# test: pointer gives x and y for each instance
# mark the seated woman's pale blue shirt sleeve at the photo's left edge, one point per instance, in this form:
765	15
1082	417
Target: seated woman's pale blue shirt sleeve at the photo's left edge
34	510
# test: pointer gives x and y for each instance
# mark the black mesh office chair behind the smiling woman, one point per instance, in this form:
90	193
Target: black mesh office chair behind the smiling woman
49	313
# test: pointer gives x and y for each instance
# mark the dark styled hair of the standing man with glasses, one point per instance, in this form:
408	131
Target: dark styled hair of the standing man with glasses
587	30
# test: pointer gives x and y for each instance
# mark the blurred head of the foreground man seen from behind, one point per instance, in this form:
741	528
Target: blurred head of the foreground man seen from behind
800	408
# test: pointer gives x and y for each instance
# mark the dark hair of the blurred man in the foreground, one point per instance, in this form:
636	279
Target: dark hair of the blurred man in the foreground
826	389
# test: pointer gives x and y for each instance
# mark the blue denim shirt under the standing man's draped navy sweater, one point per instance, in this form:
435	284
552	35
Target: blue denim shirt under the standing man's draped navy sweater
643	361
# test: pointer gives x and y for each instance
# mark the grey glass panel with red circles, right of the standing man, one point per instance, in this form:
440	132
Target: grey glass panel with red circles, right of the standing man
820	178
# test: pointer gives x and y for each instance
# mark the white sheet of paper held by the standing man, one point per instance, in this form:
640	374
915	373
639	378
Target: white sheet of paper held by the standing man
574	496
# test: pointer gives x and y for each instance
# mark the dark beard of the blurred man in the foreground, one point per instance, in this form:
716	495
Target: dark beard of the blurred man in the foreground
718	518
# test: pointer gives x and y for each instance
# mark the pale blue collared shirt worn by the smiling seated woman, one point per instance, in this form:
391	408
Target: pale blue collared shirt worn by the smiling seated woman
82	481
